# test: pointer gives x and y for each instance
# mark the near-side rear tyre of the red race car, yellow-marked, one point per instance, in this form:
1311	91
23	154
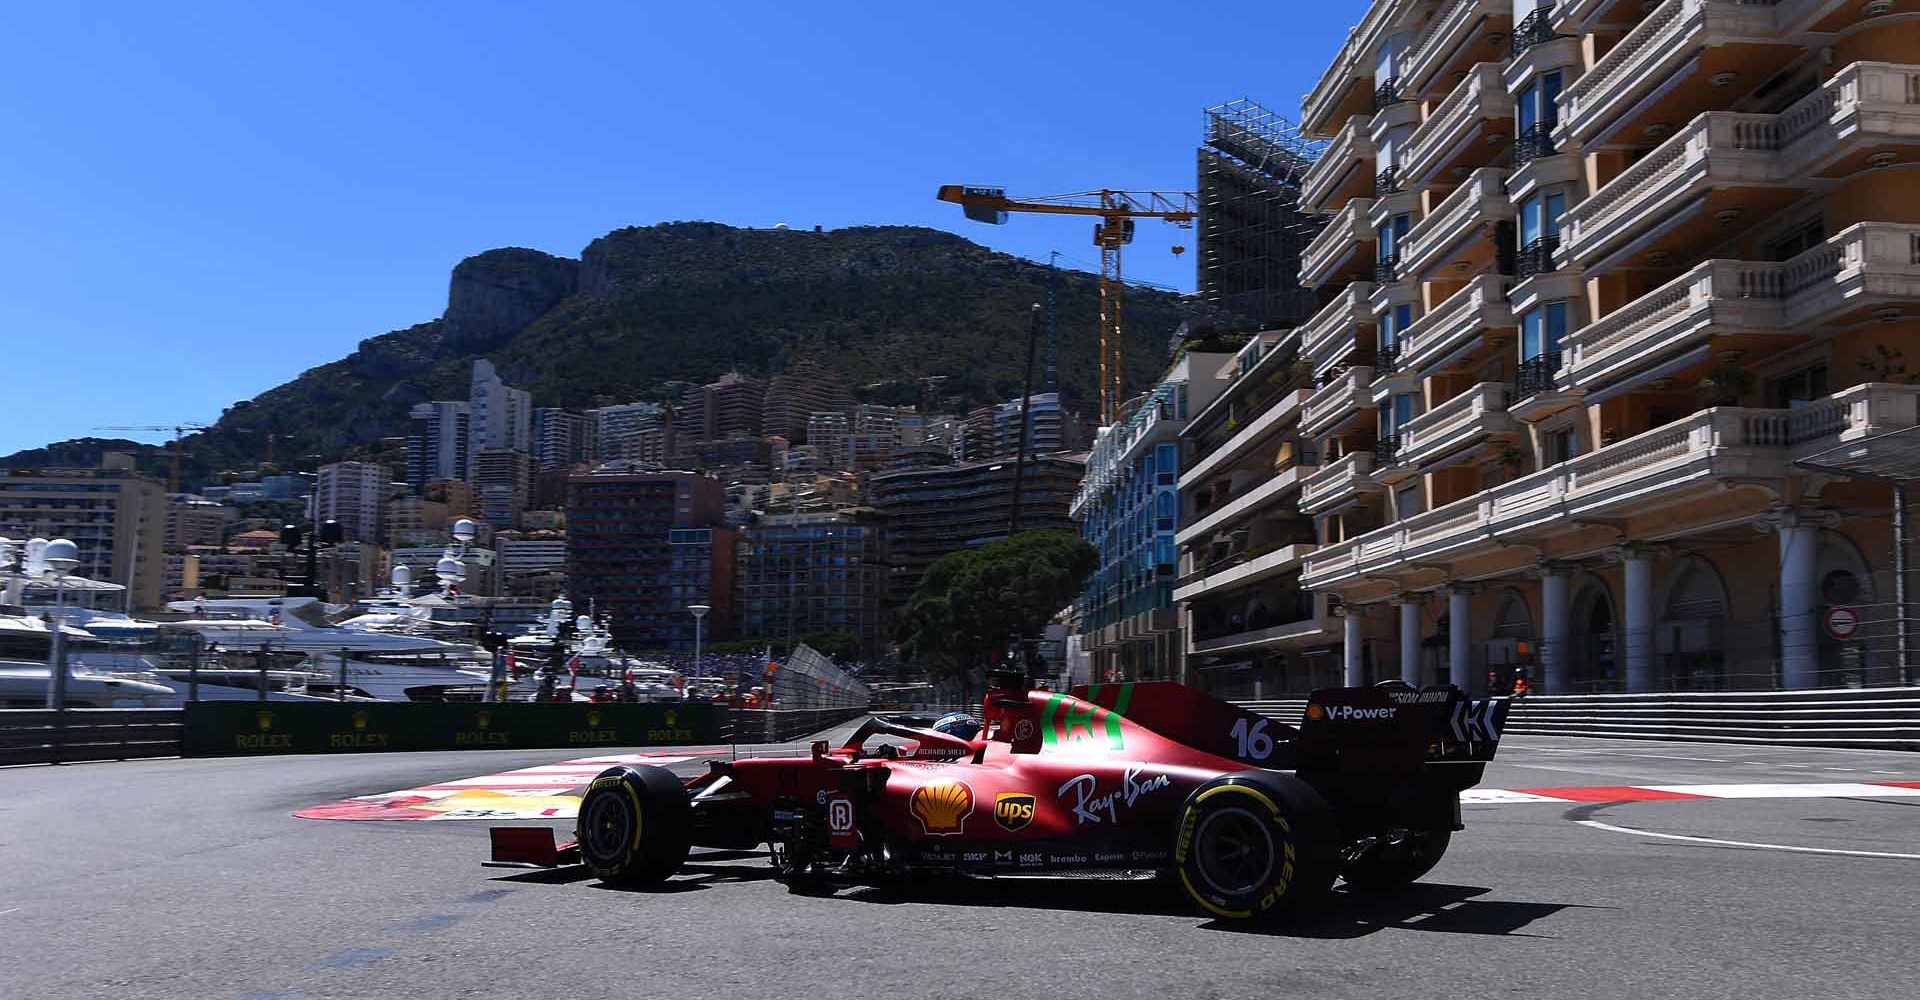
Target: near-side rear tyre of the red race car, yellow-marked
1257	845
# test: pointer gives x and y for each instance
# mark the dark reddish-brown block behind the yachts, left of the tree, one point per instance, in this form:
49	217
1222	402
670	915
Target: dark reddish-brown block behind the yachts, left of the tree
646	546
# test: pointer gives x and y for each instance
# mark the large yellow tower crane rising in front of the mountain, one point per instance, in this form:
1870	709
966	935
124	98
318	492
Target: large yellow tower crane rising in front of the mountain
1116	212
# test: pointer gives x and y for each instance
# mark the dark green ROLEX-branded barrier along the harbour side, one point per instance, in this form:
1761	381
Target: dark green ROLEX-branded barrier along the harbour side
218	728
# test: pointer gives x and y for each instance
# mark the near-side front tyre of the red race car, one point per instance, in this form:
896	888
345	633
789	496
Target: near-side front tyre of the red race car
635	826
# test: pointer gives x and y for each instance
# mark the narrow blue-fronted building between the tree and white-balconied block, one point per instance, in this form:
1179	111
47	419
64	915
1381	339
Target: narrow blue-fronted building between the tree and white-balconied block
1128	510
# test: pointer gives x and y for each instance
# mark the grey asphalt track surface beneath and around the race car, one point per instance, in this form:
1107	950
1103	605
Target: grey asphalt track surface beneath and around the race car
193	880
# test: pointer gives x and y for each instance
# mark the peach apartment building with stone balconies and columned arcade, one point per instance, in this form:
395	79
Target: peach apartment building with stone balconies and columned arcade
1596	279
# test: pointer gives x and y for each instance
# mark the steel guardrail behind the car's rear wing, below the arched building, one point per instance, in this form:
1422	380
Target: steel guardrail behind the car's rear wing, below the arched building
1873	717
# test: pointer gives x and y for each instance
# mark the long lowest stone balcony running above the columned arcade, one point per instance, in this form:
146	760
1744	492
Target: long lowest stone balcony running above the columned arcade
1666	465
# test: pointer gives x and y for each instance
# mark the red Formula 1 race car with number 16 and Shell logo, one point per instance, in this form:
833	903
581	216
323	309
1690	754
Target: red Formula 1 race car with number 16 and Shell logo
1253	817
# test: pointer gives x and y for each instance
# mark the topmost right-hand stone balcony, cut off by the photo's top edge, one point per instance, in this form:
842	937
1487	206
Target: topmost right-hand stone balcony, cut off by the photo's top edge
1660	45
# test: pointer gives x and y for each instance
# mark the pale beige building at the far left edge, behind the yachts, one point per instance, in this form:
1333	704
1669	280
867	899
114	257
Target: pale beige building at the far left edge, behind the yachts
114	515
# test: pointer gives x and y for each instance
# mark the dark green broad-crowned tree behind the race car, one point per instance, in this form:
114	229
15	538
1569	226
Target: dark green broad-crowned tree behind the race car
974	602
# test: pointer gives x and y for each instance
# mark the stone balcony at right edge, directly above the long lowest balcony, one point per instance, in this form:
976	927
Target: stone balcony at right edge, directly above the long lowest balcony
1844	279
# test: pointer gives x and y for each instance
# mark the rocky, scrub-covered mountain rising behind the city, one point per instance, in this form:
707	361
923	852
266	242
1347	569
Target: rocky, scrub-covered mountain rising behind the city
686	302
